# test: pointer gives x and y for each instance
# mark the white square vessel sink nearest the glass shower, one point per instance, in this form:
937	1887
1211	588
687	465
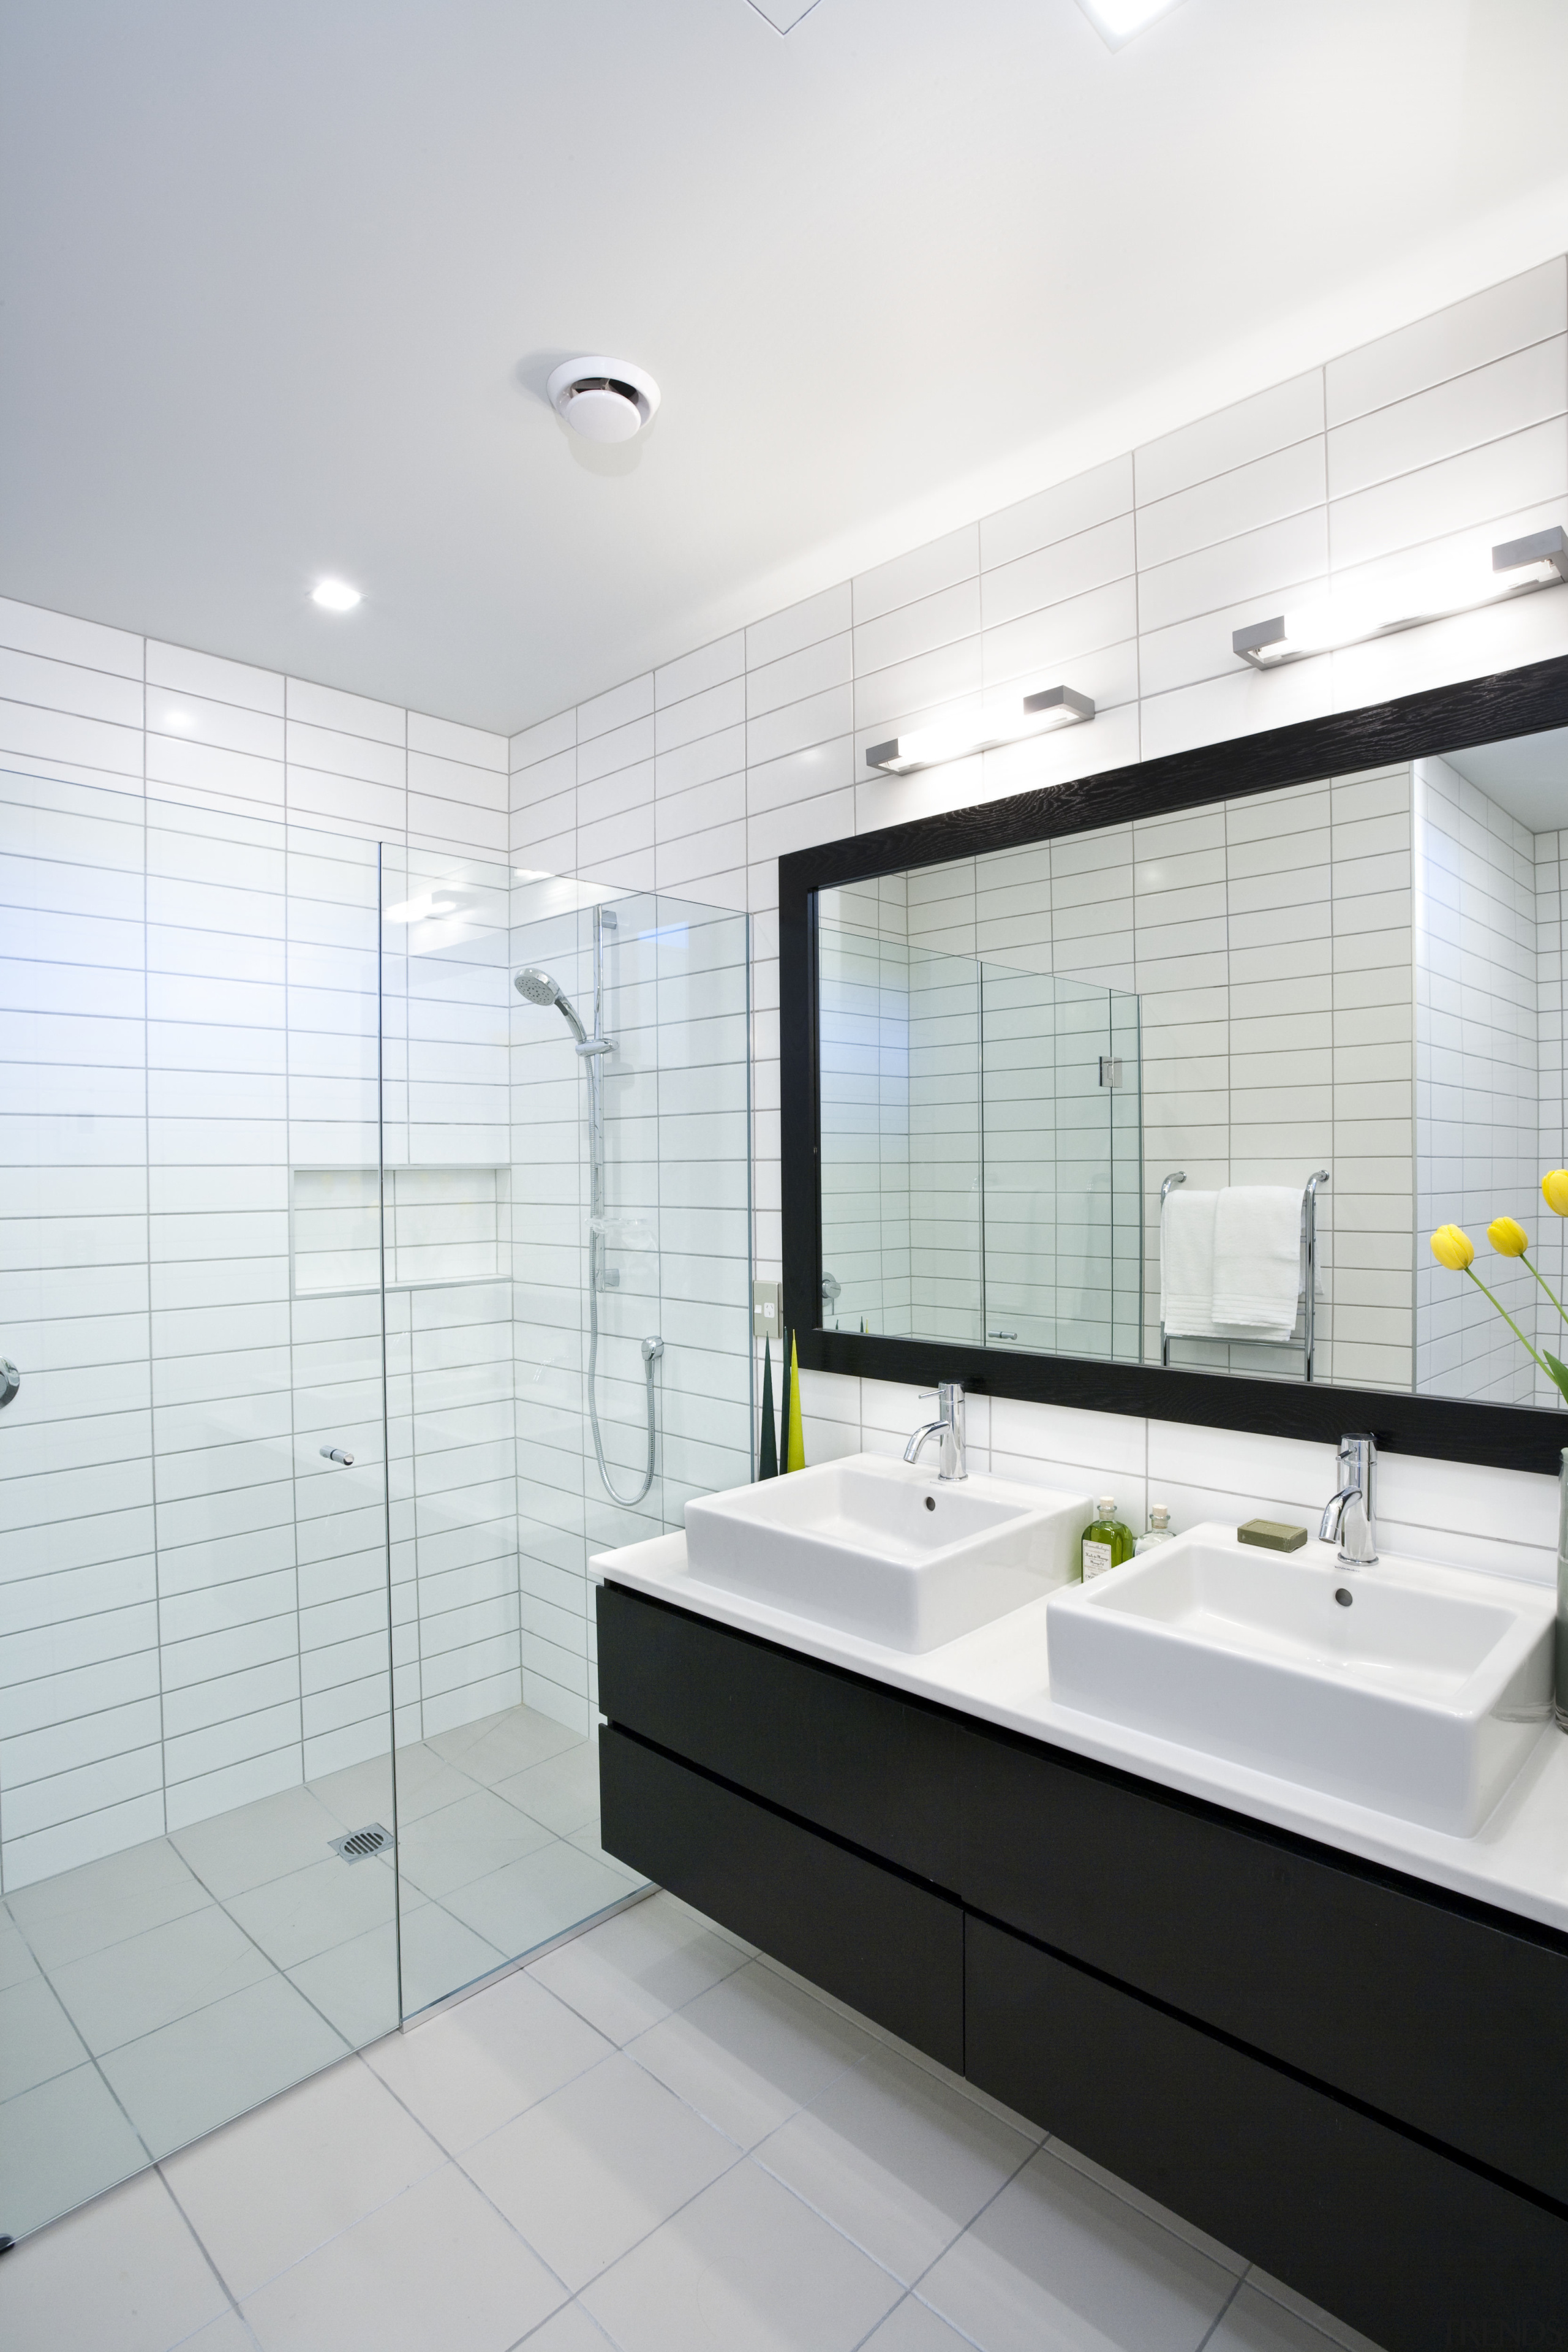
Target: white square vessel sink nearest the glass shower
885	1549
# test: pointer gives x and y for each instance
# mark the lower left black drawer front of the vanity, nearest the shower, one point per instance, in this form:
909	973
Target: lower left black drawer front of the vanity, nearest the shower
880	1942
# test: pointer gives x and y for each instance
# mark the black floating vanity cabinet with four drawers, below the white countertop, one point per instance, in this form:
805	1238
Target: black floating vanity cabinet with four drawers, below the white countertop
1348	2076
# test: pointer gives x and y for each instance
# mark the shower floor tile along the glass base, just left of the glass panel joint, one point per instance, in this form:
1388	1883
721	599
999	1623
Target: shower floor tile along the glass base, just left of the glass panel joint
215	2064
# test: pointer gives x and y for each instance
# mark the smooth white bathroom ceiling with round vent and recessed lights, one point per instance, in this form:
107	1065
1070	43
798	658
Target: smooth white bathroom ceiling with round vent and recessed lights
283	288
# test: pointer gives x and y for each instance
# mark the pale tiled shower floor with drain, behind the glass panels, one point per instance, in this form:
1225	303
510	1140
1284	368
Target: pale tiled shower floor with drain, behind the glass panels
168	1989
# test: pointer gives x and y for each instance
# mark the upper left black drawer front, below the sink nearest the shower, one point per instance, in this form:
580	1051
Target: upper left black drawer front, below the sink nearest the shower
843	1753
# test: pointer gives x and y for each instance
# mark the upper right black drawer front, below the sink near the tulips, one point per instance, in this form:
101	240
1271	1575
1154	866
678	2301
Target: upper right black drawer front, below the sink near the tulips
1438	2014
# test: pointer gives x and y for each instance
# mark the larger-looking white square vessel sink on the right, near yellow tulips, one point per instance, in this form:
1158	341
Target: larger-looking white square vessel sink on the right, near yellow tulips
1421	1697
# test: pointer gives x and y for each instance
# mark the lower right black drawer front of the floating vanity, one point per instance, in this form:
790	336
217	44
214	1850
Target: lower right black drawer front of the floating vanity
1400	2240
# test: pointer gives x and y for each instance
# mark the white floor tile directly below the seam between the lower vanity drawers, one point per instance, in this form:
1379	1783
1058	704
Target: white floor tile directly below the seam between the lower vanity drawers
894	2160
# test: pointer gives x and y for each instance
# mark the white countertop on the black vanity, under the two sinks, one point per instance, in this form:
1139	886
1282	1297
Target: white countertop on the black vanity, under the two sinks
998	1673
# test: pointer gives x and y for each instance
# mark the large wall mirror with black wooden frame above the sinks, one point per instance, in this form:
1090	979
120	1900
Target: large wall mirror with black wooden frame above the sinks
1148	1090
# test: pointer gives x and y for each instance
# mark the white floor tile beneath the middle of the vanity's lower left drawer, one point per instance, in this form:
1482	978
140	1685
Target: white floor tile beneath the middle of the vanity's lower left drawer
749	2052
